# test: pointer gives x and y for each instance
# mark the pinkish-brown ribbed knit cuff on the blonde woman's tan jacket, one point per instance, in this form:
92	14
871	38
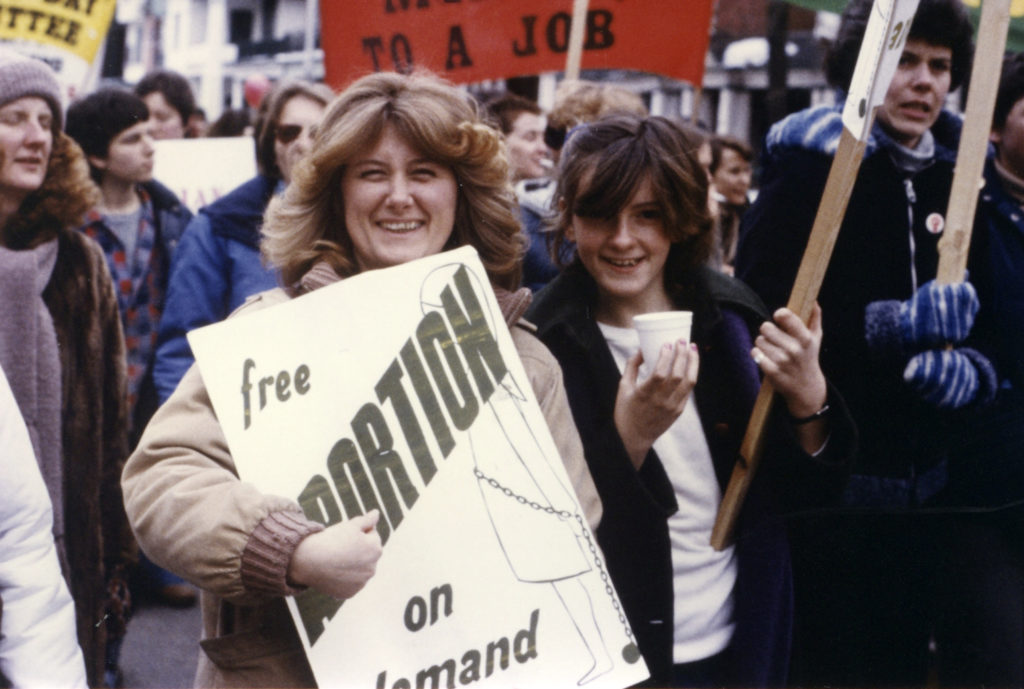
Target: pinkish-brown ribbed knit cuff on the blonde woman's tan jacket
265	562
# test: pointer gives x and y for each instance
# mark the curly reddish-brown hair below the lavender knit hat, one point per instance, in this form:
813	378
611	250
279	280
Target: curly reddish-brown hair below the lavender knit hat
60	204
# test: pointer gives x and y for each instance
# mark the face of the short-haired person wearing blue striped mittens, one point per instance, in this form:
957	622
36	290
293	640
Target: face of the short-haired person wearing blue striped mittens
918	91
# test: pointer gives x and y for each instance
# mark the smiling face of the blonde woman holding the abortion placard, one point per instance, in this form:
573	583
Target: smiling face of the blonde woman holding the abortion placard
400	206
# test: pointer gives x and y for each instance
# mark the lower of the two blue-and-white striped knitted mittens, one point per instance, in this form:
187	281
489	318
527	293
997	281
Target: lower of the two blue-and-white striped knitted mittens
952	379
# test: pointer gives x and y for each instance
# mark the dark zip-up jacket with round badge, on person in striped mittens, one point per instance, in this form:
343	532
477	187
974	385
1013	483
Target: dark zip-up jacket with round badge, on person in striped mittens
887	247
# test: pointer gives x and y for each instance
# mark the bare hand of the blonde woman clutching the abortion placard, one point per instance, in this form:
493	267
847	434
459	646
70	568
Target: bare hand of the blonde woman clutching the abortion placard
339	561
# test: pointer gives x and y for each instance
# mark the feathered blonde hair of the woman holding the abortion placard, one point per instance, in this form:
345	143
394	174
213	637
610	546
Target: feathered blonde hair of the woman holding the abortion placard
307	225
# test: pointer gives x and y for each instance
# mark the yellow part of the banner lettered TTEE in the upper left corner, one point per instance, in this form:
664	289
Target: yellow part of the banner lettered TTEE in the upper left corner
76	27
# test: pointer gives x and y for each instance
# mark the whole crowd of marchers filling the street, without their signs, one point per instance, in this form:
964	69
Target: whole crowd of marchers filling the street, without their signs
880	543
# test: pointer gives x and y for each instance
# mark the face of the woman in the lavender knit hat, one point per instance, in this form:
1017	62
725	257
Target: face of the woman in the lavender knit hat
26	142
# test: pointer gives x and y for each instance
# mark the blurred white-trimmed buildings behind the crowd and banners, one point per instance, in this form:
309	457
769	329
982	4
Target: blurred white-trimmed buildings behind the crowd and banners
764	60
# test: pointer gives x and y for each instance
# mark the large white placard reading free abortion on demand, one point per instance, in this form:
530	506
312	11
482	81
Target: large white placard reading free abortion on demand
402	390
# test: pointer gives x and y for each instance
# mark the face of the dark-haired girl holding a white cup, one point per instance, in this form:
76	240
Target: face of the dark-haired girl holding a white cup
626	256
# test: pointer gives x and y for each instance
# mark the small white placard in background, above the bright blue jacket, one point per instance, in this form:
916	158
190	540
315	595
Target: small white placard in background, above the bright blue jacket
200	171
